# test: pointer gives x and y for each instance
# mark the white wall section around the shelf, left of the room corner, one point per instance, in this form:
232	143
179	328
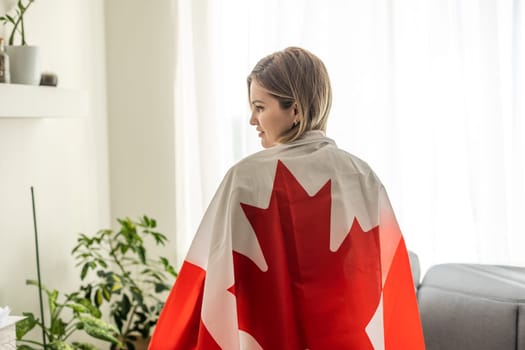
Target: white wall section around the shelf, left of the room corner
64	159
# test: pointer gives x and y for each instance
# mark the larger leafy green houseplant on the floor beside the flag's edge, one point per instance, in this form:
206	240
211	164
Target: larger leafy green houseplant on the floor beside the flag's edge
120	273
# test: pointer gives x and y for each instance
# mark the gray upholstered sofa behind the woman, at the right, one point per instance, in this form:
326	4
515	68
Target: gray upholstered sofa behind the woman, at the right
471	306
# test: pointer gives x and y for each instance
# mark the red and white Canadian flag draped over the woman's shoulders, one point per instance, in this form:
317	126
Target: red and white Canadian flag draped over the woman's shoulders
299	249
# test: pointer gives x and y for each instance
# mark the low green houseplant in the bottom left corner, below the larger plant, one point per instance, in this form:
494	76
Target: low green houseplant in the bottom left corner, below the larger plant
82	316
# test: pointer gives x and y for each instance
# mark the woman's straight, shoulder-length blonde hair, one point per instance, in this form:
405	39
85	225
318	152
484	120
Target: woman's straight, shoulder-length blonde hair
296	76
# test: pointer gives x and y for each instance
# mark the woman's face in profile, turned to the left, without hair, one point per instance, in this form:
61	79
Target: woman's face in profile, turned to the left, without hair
271	120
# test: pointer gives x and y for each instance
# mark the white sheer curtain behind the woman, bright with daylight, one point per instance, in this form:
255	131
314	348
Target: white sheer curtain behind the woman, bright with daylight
430	93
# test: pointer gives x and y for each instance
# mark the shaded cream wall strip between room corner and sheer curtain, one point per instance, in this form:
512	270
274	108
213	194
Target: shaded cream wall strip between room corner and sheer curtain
140	68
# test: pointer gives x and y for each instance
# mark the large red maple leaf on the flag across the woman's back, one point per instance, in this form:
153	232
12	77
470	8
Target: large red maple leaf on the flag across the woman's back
310	297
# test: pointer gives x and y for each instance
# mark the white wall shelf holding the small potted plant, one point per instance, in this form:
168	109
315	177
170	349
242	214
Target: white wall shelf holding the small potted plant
28	101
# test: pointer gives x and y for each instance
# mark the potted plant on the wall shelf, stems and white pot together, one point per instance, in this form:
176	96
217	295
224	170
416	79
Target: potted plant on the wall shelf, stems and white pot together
24	59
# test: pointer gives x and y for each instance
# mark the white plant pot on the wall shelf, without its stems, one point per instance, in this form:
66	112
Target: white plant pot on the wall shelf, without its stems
25	64
